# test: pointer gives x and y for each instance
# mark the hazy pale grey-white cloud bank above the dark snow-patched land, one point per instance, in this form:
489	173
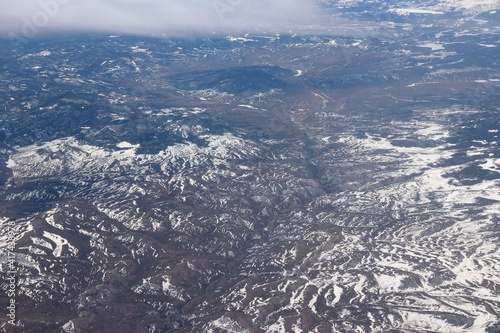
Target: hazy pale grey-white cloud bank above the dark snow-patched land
157	16
